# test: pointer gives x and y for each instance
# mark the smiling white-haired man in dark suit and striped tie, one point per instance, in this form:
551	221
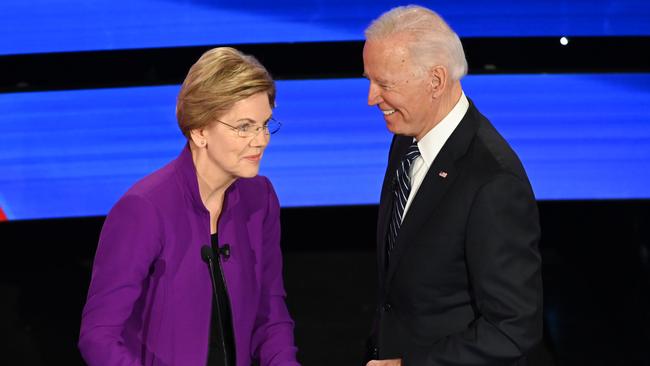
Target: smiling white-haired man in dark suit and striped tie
458	229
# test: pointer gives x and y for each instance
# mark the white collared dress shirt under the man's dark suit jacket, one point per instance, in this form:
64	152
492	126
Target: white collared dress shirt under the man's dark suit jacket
431	144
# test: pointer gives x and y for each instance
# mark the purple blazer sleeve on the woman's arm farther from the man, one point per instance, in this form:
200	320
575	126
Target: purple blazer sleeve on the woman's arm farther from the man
129	243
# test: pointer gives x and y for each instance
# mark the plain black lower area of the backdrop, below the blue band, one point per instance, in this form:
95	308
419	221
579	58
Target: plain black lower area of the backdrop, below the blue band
596	283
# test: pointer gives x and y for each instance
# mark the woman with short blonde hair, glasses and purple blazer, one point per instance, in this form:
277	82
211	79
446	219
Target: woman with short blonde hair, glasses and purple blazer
151	299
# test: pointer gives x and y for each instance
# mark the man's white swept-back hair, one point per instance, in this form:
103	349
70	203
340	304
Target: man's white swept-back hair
431	40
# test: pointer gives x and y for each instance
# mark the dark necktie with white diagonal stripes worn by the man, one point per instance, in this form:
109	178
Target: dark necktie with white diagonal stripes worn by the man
401	190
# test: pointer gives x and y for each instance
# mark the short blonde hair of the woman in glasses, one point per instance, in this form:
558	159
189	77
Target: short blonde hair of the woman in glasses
219	79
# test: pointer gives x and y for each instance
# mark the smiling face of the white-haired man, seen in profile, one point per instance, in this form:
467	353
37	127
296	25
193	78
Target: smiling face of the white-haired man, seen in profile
402	93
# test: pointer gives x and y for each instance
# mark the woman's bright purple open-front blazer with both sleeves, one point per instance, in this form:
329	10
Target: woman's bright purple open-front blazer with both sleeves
150	297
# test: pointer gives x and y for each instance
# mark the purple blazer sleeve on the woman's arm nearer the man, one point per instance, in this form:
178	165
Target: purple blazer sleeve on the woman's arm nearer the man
272	339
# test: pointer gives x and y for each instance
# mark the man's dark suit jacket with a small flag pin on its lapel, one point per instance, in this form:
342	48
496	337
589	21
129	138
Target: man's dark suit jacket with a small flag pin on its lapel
463	286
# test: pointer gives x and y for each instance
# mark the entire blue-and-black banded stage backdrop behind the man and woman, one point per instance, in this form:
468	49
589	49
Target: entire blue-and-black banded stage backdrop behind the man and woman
86	108
